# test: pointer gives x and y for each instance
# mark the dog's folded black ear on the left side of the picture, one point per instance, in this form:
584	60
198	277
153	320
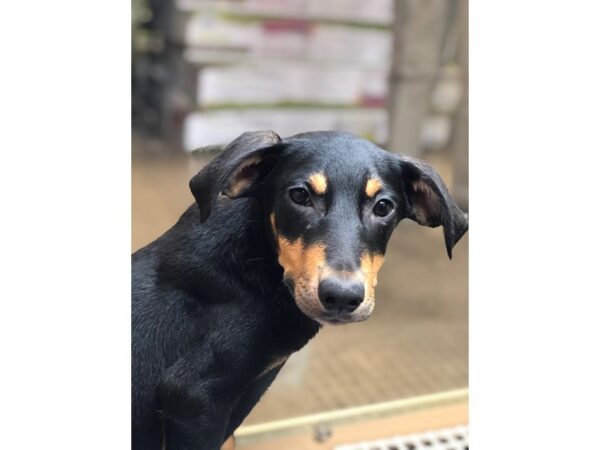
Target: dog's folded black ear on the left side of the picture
237	171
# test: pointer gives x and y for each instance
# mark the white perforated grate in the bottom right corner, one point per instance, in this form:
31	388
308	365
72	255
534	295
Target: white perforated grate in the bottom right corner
456	438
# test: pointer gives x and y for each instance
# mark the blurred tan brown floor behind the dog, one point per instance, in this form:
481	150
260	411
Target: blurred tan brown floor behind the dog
414	343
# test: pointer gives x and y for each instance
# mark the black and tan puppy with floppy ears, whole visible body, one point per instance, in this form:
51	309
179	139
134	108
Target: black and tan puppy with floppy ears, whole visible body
286	235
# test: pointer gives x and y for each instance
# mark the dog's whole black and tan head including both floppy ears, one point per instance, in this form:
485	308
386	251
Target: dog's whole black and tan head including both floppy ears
331	203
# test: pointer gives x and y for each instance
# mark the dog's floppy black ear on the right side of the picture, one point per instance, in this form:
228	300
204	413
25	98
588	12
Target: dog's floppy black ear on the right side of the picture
429	202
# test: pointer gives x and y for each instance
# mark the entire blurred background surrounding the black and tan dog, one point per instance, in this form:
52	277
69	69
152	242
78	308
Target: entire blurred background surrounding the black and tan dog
394	72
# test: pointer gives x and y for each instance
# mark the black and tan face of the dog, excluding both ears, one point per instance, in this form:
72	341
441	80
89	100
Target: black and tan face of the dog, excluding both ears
333	213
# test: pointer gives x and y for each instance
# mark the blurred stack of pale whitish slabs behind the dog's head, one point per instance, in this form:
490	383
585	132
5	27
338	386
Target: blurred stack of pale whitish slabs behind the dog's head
287	65
